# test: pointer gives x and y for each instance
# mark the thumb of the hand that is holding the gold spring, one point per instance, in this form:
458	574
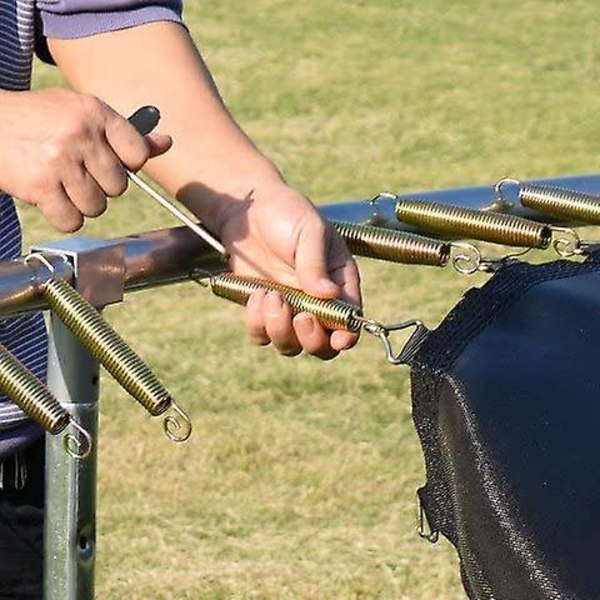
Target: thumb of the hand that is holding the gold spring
311	261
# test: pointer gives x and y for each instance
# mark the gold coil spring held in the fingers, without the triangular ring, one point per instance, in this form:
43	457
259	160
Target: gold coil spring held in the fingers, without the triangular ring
332	314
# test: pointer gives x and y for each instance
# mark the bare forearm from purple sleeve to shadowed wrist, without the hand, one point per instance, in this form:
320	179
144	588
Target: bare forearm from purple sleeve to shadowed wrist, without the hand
211	158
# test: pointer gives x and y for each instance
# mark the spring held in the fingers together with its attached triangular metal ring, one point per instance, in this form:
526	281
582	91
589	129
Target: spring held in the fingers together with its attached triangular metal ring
333	314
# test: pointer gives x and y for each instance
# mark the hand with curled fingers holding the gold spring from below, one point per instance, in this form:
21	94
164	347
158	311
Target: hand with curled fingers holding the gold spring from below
276	233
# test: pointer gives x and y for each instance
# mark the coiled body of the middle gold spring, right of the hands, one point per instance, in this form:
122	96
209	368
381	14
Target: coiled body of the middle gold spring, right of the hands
470	223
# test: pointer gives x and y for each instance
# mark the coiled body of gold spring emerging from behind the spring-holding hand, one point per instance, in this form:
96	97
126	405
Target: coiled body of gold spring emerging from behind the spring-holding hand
393	245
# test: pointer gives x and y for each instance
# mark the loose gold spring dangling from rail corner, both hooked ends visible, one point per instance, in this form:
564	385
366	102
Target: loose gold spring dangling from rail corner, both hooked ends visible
104	343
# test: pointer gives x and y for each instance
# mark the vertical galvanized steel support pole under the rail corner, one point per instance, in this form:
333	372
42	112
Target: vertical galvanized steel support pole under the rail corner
70	520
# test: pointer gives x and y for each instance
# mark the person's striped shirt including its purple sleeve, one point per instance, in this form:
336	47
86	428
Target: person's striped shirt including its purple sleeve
26	336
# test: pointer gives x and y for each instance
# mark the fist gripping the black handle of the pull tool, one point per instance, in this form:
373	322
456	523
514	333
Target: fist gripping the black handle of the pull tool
65	152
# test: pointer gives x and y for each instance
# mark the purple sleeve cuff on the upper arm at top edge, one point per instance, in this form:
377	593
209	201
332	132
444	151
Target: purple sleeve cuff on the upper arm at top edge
68	19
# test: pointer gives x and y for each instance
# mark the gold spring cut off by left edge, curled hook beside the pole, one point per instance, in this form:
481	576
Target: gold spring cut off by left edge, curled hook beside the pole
20	385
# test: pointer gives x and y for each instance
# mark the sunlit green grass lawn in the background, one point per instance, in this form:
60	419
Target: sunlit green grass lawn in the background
299	481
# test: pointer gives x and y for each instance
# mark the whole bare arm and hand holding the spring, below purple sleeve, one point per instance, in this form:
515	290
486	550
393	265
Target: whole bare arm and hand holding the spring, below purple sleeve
270	229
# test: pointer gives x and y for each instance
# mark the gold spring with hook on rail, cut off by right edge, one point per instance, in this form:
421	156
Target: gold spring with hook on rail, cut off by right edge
555	201
